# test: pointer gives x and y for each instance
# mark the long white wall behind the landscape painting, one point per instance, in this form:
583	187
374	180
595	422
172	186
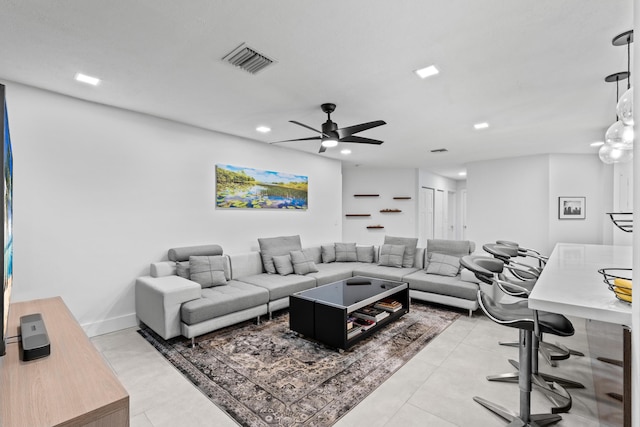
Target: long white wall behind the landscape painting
102	192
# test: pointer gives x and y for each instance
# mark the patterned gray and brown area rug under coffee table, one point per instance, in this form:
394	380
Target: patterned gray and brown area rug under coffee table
266	375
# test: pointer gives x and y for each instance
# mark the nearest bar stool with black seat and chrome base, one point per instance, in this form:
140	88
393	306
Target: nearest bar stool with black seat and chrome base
518	315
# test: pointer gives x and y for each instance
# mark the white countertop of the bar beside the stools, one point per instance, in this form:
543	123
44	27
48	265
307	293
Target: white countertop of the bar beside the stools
570	283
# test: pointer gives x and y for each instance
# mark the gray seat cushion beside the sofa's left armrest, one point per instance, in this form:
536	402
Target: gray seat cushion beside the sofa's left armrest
222	300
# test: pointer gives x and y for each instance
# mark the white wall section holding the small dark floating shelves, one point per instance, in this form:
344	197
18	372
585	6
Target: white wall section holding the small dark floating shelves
388	183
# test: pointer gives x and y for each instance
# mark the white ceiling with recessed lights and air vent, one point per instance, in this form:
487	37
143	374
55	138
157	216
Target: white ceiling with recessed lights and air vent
533	69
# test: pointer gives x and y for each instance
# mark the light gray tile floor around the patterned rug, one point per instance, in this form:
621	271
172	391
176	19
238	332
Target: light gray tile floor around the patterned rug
435	388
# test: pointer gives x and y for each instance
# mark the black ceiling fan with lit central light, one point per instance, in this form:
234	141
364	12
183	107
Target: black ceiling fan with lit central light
331	135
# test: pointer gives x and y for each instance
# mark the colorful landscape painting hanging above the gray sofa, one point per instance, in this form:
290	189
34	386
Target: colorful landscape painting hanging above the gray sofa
245	188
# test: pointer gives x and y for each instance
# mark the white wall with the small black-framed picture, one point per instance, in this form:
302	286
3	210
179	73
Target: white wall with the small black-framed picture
517	199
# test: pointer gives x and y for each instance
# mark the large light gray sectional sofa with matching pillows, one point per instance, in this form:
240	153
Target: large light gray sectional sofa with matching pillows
200	289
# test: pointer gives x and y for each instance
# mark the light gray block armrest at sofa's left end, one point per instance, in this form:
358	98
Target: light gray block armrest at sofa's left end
158	302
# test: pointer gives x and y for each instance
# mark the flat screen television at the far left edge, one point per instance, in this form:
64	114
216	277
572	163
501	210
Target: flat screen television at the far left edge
7	219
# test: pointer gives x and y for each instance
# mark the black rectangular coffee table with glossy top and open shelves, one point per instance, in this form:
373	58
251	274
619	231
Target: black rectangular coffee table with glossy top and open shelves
321	313
